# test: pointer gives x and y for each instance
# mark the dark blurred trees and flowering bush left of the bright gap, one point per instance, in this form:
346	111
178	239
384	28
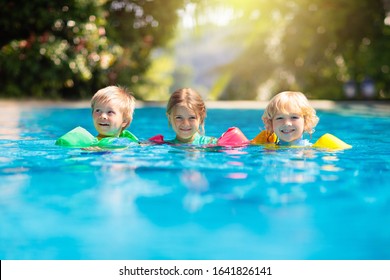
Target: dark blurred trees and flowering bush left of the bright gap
70	48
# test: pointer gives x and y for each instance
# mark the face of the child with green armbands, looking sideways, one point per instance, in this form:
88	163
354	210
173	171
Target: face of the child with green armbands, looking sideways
108	120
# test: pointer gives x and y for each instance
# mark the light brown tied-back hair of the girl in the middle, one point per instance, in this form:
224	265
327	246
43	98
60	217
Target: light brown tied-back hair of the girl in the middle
191	99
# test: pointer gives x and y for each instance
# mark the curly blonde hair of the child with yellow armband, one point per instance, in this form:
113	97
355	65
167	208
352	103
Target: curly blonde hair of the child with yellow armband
291	102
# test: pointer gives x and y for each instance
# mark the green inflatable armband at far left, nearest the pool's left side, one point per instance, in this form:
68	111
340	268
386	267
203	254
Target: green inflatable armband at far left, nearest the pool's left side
78	138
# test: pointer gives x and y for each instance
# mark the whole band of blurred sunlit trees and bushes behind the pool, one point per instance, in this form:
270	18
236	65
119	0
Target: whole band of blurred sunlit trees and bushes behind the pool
226	49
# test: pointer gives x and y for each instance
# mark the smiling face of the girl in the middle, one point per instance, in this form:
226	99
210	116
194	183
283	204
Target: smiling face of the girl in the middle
184	122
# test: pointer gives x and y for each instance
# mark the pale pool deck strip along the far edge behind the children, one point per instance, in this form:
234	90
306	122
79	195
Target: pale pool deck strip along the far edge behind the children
358	106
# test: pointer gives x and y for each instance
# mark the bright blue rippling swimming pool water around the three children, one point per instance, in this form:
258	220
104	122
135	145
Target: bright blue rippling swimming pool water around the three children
164	202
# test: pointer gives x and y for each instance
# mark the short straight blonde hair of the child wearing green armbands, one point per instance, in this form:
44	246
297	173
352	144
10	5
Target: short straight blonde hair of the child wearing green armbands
119	96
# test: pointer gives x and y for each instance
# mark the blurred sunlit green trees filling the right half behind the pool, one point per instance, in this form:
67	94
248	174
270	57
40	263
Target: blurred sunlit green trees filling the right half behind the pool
314	46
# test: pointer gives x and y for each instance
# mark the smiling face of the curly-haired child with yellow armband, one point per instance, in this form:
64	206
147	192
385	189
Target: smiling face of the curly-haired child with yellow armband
288	127
